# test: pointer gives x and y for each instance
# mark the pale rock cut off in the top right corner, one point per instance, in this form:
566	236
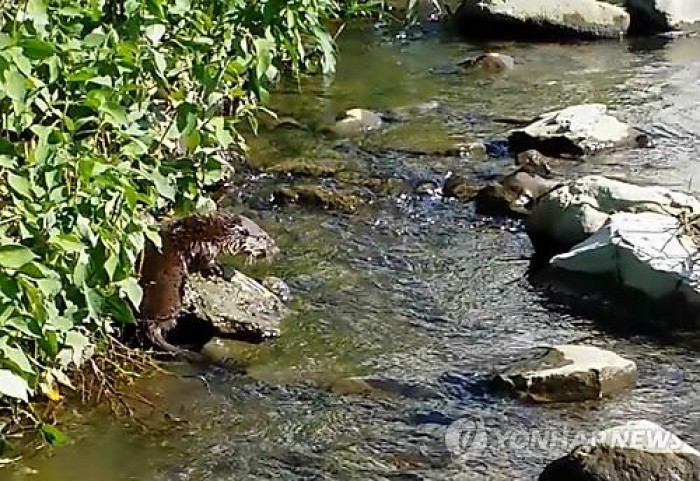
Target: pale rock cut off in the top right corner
654	16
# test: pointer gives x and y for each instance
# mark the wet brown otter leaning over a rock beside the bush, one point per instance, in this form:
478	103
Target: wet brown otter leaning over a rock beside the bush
191	244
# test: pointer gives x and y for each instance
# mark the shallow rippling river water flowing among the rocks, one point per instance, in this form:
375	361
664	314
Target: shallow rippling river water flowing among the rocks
419	292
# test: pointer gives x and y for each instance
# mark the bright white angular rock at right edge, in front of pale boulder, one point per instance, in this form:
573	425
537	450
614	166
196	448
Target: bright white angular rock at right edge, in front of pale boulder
646	251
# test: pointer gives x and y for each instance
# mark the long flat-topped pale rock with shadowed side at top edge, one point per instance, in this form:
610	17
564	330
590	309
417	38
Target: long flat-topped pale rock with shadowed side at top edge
540	19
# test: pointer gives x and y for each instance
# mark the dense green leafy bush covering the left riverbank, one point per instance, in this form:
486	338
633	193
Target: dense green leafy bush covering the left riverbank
111	111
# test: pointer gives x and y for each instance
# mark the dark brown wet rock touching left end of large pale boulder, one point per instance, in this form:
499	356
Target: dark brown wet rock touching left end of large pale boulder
515	195
